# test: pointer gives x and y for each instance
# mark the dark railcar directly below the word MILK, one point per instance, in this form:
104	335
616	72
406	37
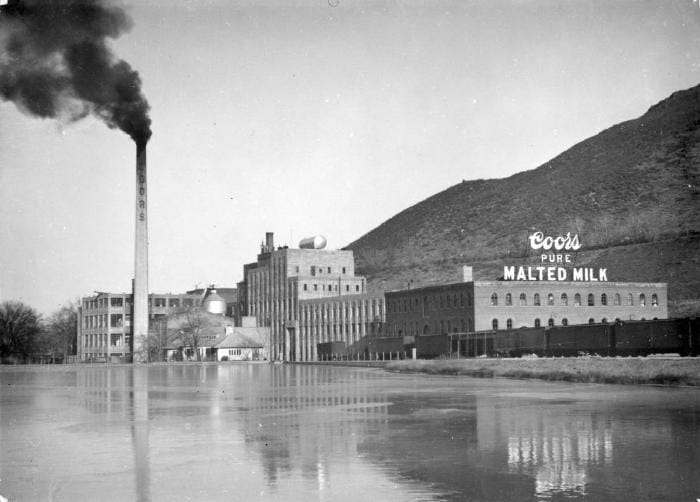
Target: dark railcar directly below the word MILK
580	339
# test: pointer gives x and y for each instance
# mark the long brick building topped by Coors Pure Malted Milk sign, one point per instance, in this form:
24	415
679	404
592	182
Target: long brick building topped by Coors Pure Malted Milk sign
550	292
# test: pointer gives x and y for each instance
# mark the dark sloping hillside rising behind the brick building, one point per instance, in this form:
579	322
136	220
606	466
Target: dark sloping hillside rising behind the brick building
632	193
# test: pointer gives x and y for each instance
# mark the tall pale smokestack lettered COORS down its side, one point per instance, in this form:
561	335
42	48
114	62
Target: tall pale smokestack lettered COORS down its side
140	320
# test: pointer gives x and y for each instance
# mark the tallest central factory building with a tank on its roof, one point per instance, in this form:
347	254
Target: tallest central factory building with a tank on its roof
307	296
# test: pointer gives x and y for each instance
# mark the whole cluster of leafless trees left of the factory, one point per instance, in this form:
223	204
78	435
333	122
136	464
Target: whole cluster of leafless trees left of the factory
26	336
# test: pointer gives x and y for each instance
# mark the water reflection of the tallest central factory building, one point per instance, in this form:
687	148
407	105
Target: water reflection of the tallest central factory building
303	413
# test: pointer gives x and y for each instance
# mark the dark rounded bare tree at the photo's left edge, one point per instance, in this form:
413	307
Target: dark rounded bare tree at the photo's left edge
20	330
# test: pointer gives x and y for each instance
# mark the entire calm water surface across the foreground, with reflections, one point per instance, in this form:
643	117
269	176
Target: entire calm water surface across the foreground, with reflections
291	432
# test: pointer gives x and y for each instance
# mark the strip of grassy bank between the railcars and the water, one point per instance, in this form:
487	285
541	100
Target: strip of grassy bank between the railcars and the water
618	370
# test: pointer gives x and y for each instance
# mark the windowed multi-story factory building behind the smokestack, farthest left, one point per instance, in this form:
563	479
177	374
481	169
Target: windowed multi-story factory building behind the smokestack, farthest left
105	322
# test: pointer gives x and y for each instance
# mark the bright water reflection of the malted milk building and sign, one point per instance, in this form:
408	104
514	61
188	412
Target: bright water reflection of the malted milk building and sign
556	449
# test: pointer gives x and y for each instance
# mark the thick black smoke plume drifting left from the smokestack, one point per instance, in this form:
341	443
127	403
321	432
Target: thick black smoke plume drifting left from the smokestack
55	63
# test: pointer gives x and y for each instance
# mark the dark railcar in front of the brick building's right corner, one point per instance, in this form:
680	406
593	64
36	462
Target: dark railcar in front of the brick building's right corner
652	337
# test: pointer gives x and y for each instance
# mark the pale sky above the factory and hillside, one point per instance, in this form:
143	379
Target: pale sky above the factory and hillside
317	117
